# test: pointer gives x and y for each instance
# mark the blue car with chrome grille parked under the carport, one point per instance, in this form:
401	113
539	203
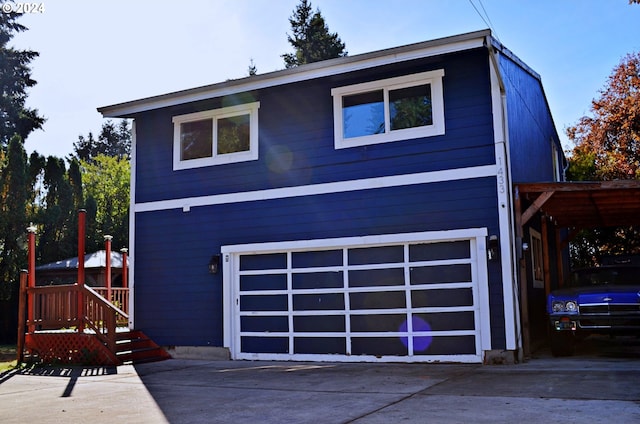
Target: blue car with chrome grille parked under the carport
594	300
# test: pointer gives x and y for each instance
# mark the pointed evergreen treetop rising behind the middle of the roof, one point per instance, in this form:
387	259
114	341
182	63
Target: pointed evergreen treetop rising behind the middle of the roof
311	39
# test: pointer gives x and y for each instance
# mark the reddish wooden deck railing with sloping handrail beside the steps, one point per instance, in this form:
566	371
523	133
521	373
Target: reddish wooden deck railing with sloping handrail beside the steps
56	308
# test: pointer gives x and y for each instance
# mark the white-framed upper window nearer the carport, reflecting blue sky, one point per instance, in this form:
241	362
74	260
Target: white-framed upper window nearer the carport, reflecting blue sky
393	109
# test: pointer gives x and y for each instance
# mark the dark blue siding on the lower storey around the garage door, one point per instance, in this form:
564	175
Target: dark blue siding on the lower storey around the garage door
179	303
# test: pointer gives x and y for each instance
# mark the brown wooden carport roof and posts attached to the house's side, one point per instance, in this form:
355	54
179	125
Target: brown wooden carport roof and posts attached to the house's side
571	206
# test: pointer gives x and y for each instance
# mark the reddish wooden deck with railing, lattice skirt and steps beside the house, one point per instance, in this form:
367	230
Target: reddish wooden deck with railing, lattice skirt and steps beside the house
76	324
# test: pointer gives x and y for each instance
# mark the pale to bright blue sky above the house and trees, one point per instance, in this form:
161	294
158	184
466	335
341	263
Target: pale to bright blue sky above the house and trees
97	53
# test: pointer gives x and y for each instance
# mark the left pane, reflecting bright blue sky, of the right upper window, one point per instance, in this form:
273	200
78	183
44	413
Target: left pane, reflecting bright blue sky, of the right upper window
363	114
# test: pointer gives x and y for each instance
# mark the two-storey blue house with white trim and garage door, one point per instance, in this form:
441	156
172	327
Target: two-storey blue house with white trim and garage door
355	209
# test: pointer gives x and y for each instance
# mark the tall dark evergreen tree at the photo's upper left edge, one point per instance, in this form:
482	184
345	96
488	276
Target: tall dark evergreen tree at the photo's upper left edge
15	79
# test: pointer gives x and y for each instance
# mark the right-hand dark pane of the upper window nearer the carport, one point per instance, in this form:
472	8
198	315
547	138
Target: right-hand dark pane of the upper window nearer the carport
410	107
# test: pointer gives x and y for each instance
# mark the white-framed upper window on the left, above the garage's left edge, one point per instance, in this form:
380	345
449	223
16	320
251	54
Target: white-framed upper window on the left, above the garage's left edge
216	137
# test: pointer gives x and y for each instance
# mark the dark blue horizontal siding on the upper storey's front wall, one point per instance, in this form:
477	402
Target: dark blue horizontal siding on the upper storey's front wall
297	120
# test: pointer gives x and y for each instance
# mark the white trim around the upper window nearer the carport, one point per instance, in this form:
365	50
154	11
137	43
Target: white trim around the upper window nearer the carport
434	78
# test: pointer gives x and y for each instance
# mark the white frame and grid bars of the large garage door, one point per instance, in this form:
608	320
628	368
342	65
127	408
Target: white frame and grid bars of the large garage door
479	285
